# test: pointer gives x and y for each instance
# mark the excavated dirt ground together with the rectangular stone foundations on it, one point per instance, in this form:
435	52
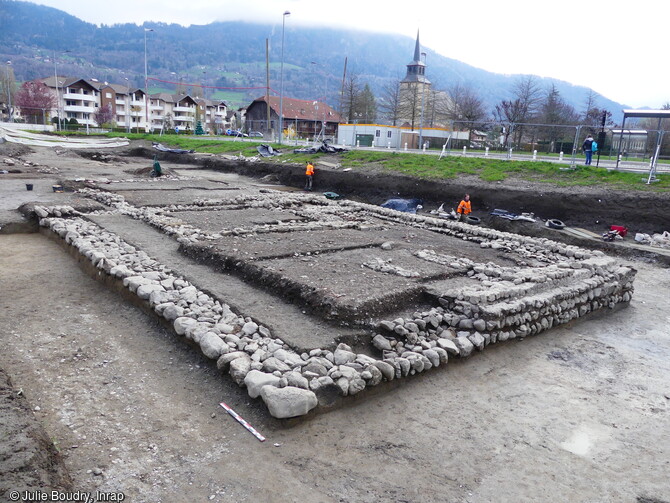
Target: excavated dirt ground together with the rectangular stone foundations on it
567	395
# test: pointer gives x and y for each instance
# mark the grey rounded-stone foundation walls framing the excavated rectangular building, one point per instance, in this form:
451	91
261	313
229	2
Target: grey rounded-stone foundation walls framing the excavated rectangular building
500	303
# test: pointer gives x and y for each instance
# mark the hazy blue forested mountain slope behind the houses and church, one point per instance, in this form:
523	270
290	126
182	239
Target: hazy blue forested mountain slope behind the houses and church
232	55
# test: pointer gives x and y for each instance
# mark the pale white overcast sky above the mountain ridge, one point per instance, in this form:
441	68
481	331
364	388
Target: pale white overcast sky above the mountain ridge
618	48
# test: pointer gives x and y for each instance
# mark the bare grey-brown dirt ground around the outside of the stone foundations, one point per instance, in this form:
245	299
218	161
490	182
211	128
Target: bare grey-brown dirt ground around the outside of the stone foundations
578	414
